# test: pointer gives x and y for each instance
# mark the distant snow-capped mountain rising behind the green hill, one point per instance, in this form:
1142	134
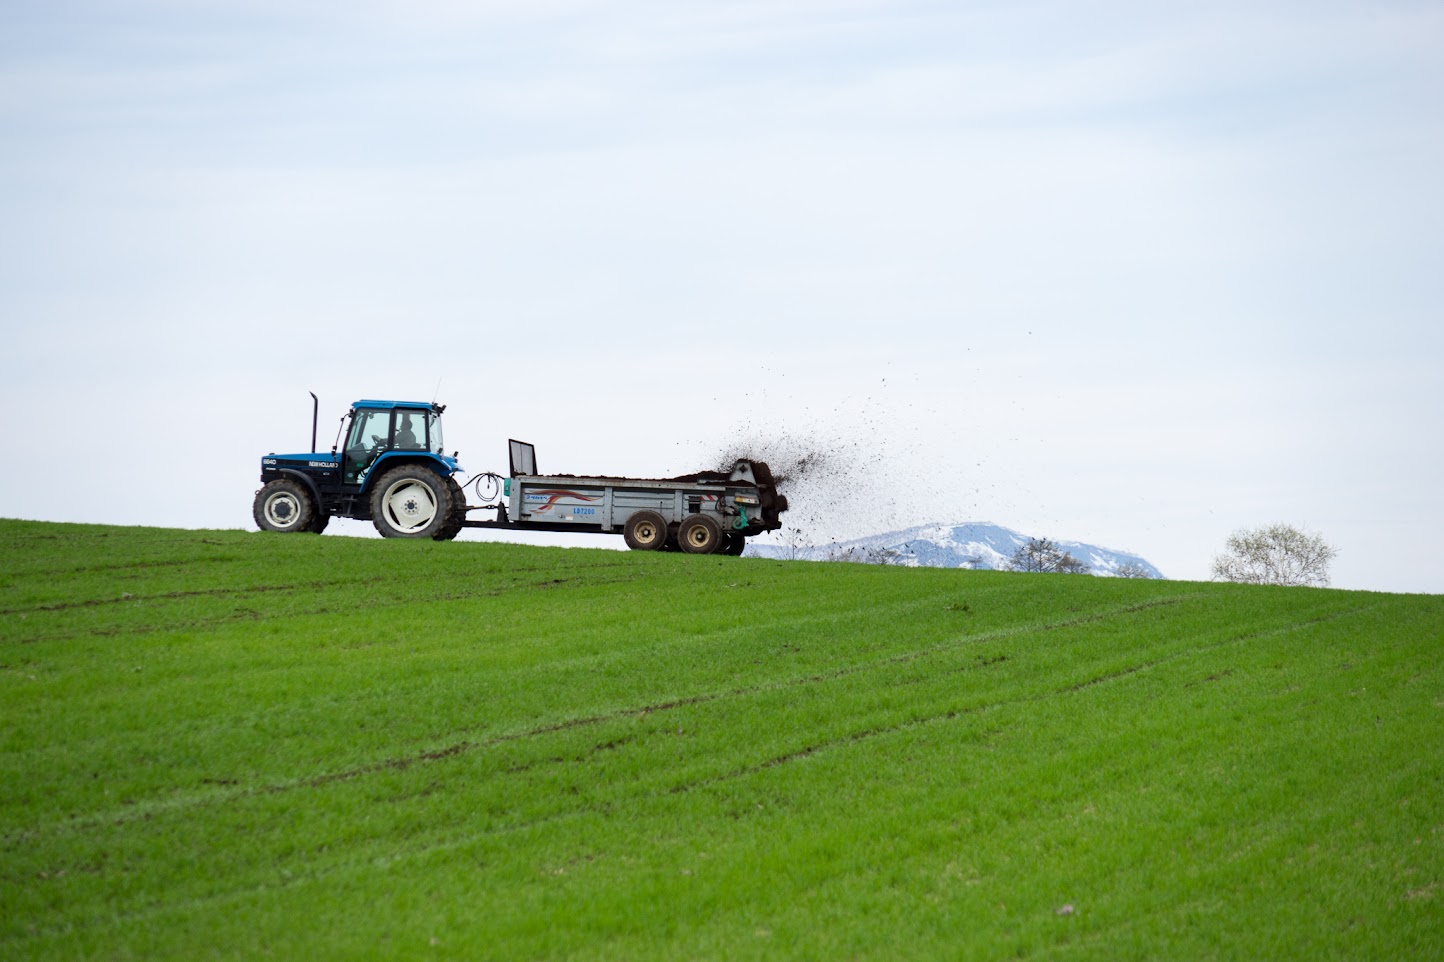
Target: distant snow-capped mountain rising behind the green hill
978	545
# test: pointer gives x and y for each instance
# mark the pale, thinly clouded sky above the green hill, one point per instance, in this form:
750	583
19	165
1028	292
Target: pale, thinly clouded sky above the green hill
1130	274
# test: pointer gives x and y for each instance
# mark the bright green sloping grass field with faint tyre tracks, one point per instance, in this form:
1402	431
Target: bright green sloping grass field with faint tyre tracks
239	746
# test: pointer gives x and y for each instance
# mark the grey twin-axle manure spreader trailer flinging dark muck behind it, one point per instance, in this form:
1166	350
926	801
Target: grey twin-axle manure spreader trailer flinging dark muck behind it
700	513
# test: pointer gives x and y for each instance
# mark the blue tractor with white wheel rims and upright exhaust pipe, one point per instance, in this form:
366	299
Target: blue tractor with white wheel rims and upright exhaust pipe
391	472
